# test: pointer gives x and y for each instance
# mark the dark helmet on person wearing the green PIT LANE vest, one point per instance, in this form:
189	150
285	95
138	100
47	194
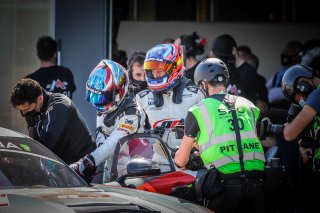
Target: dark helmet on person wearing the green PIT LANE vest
211	69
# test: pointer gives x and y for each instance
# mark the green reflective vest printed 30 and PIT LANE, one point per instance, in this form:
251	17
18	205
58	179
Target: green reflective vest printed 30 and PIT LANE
217	138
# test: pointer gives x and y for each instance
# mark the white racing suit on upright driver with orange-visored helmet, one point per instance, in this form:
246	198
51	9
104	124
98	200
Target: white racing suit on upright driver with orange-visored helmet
170	113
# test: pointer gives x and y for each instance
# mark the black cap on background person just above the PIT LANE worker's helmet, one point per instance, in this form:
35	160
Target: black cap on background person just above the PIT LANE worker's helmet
223	44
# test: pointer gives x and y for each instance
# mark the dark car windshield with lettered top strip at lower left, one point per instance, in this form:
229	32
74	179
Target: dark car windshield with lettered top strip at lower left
24	163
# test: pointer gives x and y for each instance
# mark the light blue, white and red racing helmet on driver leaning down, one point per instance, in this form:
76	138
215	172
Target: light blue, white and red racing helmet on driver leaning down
107	86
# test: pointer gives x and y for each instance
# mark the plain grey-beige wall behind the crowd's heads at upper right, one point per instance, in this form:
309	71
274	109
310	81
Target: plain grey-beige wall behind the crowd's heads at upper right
265	39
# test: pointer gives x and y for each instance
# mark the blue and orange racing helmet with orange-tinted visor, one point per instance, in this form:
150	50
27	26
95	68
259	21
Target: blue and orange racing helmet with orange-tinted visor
166	57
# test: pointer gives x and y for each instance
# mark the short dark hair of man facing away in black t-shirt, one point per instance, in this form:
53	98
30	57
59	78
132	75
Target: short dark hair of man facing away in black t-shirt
46	48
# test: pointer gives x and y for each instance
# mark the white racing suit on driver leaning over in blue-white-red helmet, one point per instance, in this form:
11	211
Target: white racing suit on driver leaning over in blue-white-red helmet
111	127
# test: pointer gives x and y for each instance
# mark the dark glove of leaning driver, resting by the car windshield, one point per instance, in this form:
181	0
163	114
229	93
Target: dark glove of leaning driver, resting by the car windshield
85	168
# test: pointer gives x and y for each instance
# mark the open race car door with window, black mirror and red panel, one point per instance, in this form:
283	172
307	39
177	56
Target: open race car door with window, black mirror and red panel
143	161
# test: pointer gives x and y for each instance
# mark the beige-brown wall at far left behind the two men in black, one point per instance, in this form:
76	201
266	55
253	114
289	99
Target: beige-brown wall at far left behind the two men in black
21	22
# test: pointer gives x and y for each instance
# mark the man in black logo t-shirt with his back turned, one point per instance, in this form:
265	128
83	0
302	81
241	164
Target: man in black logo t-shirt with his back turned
53	78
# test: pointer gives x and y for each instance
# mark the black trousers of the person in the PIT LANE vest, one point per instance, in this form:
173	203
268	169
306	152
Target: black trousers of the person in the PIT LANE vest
240	195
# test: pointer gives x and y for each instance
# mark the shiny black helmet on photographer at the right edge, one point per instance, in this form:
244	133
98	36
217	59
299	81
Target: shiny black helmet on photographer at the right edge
289	83
